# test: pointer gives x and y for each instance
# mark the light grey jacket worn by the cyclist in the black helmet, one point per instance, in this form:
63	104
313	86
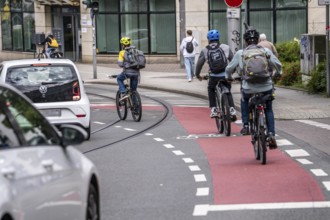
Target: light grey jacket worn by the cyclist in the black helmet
250	88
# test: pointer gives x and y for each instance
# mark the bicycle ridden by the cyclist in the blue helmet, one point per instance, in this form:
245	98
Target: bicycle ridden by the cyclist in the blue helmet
223	120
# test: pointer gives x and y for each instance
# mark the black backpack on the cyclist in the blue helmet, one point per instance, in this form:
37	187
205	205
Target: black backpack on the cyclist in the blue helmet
217	59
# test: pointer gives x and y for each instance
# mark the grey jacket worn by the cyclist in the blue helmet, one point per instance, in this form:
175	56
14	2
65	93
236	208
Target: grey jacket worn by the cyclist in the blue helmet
203	57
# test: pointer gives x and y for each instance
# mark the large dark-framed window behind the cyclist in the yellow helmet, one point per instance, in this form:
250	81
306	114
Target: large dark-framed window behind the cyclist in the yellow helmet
149	23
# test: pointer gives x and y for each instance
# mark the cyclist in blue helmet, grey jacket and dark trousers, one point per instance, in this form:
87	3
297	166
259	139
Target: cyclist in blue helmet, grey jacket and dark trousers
213	37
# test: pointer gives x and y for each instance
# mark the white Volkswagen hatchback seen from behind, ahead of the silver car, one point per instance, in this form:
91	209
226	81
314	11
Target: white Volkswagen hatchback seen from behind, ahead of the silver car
54	86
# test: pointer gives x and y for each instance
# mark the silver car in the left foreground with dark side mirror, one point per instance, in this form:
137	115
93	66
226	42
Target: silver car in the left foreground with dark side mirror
41	175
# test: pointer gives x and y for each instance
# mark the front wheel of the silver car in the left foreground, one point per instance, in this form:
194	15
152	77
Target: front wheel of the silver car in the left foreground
93	209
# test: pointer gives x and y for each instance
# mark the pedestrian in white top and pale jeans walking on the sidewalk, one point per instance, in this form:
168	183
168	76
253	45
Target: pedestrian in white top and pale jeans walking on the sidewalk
187	48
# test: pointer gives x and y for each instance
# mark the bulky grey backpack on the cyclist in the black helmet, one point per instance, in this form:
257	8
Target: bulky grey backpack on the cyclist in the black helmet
255	64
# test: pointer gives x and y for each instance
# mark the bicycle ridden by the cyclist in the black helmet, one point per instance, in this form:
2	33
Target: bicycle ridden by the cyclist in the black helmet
258	125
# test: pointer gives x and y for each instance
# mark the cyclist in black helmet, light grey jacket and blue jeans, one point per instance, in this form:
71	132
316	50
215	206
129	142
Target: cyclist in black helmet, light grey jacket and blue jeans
251	37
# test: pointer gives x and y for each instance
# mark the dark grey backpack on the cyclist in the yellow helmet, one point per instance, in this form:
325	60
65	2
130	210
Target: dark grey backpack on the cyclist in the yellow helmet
135	58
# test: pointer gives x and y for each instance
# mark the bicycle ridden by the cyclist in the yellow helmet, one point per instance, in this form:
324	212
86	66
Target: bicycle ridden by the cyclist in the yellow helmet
131	101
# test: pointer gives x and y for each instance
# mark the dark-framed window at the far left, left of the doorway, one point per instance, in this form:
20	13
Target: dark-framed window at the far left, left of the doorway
17	24
